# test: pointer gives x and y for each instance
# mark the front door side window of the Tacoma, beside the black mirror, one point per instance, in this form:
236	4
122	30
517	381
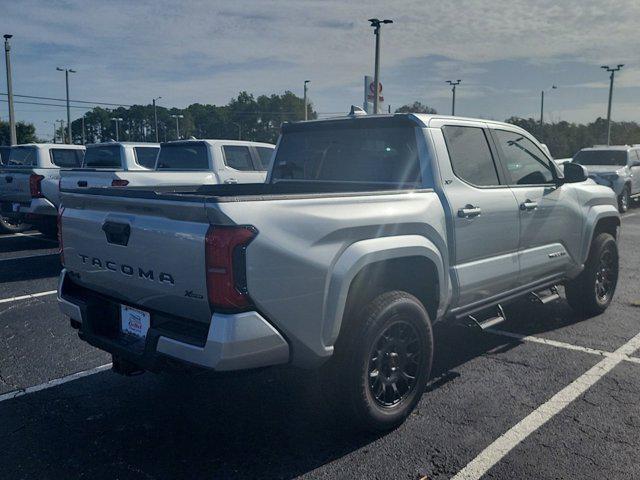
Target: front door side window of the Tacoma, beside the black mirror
525	163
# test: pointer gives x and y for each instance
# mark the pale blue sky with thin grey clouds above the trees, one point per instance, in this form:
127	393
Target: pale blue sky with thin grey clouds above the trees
505	53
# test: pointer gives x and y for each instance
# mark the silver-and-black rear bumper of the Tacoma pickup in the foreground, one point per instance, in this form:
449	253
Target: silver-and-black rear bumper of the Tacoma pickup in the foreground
233	342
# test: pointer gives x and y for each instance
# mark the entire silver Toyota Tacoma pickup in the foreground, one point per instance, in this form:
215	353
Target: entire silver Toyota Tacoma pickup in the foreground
368	231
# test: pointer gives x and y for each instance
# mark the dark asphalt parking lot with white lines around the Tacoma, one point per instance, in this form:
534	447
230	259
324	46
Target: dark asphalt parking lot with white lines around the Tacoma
548	395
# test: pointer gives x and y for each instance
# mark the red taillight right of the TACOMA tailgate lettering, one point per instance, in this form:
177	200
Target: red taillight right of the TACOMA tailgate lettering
225	256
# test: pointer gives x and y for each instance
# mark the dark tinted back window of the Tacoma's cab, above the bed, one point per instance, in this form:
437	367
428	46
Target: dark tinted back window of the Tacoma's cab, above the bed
376	150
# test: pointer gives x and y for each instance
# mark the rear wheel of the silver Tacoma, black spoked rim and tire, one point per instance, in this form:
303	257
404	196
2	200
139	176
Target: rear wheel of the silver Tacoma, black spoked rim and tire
382	362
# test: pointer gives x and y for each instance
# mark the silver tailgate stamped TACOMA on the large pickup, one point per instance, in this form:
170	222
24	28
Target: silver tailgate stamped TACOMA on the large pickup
150	254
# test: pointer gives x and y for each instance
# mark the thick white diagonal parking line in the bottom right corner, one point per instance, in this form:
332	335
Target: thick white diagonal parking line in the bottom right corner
545	412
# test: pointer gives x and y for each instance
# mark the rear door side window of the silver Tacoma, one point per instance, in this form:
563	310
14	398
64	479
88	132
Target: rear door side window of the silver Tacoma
471	157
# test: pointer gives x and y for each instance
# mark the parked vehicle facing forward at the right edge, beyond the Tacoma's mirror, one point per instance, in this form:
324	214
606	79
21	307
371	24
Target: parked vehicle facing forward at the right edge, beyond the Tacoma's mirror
617	167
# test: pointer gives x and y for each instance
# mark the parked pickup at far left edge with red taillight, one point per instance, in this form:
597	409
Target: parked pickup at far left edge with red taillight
29	182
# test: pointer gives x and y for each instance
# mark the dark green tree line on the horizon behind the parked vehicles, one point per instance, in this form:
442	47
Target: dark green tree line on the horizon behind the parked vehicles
259	119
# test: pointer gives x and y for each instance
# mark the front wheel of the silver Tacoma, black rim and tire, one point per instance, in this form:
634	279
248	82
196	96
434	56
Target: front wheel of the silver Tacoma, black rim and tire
592	291
